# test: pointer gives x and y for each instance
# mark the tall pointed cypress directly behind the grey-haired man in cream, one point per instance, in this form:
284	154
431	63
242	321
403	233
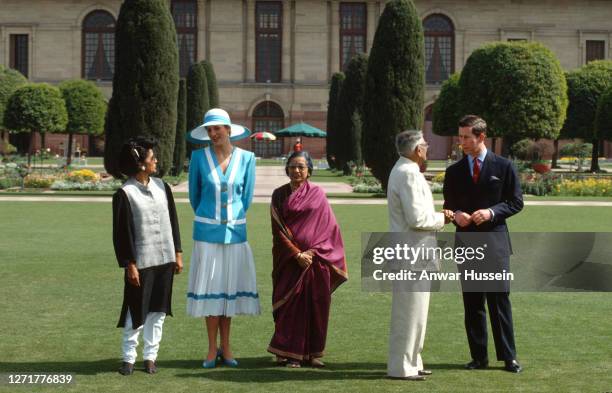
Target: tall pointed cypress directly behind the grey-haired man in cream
395	85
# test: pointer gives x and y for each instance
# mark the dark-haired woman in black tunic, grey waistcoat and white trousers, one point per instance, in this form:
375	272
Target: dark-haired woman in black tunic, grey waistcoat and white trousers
148	246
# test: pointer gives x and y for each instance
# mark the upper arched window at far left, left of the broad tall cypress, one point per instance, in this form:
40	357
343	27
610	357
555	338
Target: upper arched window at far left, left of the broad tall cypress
99	46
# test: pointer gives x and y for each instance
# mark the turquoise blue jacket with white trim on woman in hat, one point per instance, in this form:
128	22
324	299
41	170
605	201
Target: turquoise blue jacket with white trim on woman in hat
220	201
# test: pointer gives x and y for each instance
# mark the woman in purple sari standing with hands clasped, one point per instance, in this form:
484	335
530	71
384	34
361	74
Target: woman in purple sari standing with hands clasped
309	264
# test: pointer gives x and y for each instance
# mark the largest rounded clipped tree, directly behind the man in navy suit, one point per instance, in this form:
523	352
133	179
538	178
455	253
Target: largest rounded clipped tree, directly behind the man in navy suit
518	88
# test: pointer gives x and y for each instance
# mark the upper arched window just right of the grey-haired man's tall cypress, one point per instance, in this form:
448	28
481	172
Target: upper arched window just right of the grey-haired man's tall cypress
439	48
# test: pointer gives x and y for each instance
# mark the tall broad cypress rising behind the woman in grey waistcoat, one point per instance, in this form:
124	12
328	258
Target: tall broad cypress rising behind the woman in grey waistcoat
145	83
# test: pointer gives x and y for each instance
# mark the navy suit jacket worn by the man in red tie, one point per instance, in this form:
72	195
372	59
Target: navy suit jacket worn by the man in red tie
498	189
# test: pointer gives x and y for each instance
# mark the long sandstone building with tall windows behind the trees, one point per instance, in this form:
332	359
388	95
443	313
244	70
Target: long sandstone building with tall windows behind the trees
274	59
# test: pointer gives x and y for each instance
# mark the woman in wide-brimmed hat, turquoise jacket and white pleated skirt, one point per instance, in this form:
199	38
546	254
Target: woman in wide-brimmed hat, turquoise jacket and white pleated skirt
222	279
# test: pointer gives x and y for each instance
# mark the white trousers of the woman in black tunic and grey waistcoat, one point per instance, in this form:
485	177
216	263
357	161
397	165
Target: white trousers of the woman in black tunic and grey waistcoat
152	332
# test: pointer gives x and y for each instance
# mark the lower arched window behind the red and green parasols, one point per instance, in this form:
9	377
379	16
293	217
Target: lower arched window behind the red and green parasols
269	117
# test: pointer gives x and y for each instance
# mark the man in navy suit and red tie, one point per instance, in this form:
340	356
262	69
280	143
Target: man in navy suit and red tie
483	190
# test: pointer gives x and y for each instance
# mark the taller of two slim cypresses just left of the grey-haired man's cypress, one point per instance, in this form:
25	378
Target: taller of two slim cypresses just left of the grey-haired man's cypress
349	110
